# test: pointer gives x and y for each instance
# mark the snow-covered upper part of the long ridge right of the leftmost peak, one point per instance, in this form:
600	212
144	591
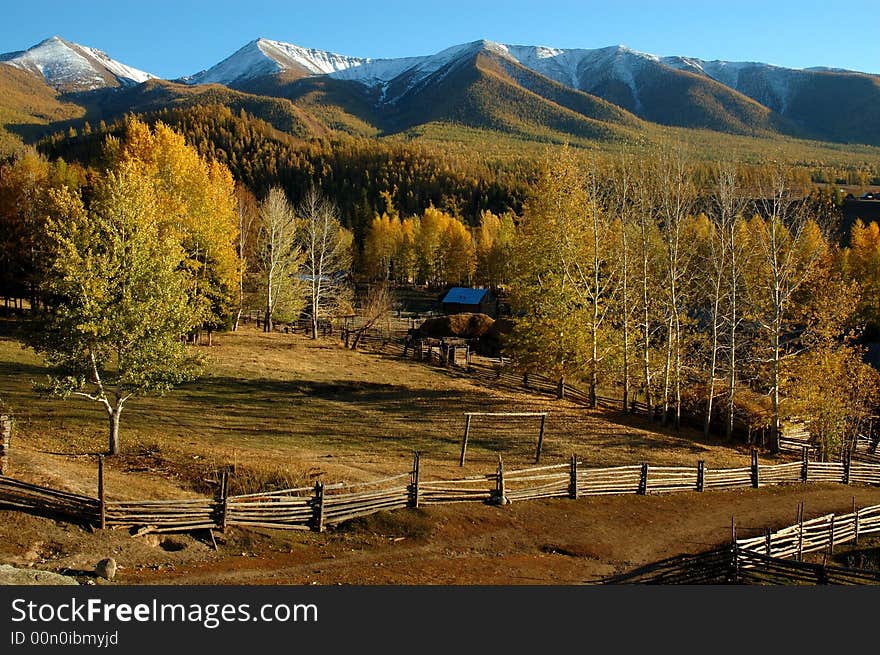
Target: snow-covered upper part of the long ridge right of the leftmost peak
607	72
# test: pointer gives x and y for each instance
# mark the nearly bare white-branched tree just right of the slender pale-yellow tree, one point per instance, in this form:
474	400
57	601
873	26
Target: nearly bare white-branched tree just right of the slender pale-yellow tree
327	248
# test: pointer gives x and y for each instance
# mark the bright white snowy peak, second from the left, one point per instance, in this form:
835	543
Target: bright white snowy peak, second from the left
264	57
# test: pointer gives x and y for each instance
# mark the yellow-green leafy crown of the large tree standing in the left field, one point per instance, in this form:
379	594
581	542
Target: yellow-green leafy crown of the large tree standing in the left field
115	307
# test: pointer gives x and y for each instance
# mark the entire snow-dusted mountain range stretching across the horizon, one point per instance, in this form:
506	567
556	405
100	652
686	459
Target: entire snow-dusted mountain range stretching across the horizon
563	86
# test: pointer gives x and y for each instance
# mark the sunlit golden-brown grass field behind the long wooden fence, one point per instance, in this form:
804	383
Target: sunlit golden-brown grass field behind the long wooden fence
287	410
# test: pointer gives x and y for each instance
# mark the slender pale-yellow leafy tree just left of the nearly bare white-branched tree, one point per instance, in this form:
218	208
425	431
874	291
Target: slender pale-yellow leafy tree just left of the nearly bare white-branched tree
279	252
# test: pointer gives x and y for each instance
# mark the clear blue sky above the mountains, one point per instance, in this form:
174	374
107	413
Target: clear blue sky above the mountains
170	39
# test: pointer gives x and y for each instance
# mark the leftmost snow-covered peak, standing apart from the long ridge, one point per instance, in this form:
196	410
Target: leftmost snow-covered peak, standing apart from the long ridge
68	66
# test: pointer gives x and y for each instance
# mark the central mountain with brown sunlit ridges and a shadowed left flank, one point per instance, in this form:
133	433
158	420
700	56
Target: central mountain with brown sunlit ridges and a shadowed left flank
474	85
